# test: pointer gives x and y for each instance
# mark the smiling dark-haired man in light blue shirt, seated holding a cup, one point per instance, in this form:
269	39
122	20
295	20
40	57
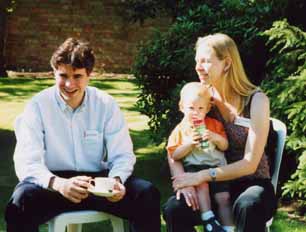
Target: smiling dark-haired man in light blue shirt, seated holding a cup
68	134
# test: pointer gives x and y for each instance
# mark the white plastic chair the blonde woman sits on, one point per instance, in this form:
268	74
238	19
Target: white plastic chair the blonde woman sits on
281	131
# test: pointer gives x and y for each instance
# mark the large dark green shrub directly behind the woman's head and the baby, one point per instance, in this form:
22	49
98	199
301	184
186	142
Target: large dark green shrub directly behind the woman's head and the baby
167	60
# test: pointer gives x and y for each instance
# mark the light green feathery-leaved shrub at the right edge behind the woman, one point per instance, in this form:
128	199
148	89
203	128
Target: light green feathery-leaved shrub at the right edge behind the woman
287	87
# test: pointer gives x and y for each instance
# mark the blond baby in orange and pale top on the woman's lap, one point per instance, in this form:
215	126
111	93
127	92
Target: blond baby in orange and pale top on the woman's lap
202	151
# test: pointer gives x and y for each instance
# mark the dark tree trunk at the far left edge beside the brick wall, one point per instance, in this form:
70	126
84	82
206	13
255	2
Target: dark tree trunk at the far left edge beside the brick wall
3	15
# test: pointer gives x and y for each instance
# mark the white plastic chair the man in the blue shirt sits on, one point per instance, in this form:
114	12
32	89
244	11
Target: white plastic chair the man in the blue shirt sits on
74	220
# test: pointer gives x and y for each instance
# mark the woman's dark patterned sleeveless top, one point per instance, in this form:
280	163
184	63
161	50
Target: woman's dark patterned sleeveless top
237	137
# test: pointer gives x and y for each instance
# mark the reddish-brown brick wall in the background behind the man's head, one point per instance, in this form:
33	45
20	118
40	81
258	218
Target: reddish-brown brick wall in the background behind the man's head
37	27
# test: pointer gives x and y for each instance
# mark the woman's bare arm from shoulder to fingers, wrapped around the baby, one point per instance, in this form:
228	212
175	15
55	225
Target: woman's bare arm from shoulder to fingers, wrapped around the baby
257	137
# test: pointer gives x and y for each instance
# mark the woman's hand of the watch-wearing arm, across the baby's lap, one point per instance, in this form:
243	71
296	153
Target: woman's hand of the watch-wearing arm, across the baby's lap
186	179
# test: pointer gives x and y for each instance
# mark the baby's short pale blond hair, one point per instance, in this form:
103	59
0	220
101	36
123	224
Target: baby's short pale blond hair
194	90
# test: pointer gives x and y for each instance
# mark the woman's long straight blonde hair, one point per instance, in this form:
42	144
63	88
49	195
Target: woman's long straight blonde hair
235	79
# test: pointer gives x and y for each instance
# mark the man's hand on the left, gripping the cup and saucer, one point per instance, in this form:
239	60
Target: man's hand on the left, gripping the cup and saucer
74	189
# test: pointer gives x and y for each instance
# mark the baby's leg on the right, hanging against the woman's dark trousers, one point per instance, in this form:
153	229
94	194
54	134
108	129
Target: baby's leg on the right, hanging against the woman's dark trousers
224	208
